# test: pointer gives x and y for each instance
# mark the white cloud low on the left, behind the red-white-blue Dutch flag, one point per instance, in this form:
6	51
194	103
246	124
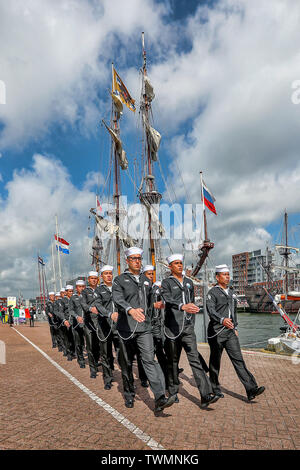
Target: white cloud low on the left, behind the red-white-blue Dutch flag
27	217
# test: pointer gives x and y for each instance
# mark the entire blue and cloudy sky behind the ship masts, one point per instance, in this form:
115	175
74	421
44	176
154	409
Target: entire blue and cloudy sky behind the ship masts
223	73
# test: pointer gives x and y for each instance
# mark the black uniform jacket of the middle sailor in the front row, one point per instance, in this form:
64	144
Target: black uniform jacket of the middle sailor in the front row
175	295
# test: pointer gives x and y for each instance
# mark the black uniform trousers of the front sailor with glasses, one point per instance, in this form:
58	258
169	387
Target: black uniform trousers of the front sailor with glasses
143	343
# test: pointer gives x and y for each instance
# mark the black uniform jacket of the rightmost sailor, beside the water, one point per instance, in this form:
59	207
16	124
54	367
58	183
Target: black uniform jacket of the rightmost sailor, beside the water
218	305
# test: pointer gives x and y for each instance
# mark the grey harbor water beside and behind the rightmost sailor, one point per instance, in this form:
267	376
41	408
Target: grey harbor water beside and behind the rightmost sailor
254	328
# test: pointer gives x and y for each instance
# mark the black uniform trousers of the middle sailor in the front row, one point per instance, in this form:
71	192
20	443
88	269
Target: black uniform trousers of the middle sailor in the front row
187	341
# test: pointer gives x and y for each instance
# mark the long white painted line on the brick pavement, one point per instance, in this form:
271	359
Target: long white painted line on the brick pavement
114	413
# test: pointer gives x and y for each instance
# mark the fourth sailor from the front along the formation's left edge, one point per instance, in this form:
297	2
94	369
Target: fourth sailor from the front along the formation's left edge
76	321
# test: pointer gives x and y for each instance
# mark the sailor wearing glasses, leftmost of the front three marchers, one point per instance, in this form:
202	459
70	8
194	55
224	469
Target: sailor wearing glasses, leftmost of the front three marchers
132	296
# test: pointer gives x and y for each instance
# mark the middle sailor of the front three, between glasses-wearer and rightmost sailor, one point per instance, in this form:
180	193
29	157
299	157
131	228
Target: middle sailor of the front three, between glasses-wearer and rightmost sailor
178	293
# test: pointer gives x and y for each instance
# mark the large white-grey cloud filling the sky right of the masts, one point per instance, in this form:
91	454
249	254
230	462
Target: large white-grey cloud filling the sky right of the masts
234	87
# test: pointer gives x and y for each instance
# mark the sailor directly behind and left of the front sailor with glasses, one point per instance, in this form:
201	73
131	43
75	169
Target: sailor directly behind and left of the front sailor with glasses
103	316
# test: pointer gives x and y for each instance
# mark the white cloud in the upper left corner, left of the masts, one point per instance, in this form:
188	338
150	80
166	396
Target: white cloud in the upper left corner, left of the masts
57	58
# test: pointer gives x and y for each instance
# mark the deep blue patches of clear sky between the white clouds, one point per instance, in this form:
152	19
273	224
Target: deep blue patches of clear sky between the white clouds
71	146
